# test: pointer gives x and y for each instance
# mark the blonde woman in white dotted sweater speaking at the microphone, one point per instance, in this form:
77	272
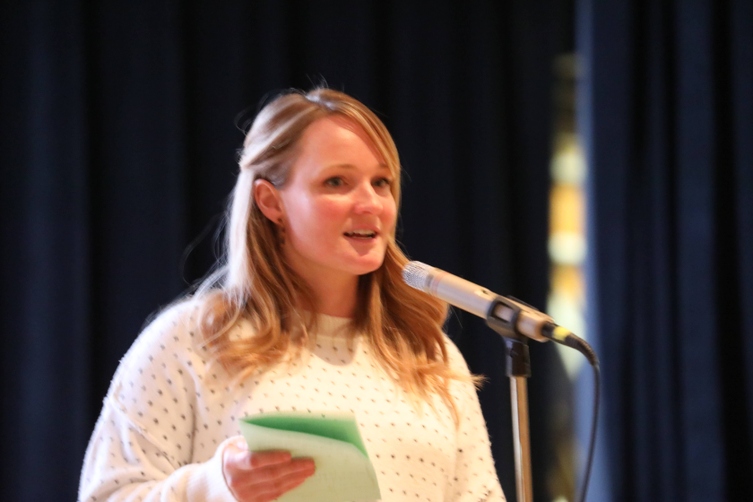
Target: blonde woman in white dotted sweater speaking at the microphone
308	312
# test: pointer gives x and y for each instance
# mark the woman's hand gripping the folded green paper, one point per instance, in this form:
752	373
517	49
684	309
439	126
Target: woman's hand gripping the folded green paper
262	476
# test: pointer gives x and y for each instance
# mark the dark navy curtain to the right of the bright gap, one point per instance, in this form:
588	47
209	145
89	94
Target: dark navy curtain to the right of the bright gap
667	112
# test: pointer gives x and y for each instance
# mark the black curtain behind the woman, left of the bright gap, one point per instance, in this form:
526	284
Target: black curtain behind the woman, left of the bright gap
118	135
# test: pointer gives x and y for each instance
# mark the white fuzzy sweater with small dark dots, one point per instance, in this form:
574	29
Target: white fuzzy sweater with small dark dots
169	414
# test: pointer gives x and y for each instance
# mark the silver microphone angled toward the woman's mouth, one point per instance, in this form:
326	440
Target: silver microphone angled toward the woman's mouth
508	316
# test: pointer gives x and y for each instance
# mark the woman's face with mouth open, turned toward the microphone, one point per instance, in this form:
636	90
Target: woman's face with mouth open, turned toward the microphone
338	210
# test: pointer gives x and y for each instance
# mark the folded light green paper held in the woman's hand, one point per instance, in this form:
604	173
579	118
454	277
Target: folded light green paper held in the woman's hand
343	469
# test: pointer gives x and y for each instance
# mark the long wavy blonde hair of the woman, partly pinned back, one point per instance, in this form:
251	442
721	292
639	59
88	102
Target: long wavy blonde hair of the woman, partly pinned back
403	325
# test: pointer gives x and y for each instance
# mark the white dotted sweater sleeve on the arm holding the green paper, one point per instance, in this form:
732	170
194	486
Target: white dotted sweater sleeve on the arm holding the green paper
141	447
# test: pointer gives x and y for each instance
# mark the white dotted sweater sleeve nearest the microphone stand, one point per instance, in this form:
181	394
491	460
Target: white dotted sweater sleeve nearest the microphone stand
475	474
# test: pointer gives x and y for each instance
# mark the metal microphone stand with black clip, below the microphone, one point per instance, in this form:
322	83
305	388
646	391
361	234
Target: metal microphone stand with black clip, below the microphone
518	370
